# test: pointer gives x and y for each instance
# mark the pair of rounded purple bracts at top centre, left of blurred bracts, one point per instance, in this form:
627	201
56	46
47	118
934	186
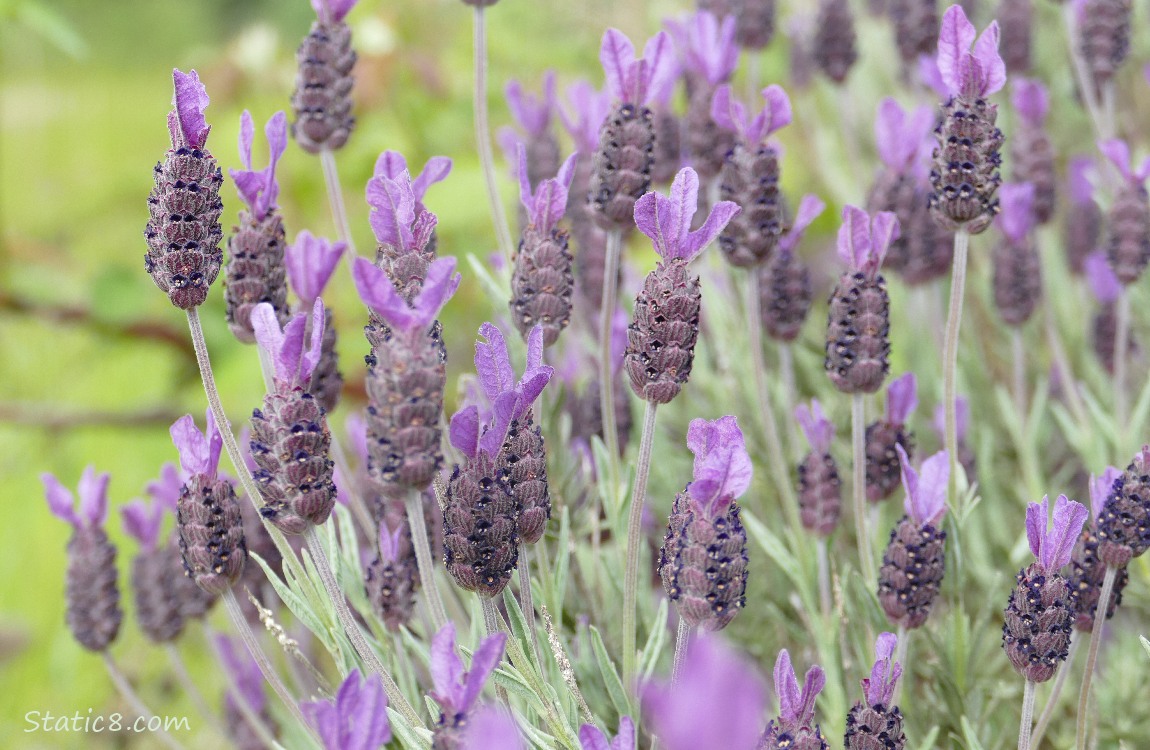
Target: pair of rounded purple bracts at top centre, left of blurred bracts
638	82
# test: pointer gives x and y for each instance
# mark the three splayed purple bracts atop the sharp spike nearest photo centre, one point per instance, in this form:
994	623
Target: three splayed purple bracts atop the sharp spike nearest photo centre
668	221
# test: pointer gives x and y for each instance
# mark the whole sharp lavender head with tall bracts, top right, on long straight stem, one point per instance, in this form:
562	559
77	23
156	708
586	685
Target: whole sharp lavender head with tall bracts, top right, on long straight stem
964	177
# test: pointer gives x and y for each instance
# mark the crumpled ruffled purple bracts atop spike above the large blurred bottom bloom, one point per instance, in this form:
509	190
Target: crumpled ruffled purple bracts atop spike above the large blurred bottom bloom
723	466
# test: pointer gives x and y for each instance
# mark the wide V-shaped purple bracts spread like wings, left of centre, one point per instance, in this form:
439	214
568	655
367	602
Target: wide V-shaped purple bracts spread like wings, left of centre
379	294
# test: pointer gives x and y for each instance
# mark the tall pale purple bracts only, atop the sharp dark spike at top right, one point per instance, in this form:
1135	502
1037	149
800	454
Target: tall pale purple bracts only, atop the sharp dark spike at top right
970	68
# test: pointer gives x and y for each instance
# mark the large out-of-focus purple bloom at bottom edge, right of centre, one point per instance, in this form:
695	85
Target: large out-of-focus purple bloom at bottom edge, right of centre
717	705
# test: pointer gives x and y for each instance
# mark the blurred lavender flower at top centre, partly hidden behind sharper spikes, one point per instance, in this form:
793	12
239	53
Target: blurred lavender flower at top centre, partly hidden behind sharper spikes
711	56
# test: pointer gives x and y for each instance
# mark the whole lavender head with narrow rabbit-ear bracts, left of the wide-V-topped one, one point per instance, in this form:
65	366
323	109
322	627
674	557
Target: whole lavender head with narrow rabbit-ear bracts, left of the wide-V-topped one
290	440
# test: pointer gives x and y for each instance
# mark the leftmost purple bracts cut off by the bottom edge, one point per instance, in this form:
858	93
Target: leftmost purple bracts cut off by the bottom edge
357	720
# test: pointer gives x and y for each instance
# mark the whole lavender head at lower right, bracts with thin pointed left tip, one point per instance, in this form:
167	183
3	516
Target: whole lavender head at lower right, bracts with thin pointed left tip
916	558
